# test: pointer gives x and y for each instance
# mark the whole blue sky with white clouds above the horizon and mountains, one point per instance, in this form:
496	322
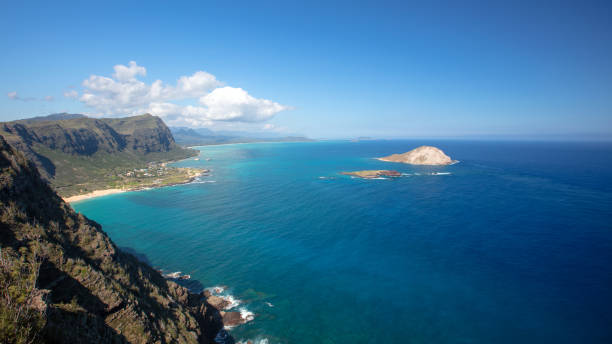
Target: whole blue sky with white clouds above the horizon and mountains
322	69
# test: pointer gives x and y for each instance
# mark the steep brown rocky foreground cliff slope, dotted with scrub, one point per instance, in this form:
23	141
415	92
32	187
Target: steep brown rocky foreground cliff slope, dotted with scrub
62	280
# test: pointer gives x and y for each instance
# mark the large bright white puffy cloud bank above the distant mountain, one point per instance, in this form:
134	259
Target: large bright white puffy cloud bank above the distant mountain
204	99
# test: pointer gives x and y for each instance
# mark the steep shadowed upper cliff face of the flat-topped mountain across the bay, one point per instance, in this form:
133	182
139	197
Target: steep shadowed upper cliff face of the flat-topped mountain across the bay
42	140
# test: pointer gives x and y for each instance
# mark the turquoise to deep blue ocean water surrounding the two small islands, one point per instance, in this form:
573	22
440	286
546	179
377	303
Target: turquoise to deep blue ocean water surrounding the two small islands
514	246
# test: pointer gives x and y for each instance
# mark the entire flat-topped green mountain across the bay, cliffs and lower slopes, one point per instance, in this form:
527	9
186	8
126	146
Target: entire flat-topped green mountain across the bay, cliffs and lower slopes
81	154
